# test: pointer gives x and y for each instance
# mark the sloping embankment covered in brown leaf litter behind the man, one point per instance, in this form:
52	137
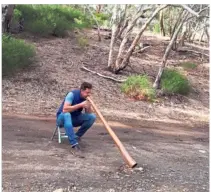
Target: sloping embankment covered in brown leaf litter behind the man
40	90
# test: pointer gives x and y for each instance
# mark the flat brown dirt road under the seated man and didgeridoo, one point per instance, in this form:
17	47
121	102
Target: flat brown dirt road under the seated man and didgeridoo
170	158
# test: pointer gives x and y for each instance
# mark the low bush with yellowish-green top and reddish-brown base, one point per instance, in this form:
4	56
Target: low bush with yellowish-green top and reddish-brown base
139	87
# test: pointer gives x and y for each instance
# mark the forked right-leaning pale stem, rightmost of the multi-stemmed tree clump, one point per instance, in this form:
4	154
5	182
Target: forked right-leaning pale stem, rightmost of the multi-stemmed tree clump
122	59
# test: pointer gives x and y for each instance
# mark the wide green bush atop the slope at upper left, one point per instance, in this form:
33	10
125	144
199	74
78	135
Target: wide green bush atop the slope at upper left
51	19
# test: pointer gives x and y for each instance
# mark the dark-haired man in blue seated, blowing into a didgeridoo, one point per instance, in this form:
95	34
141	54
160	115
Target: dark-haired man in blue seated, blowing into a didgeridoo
70	114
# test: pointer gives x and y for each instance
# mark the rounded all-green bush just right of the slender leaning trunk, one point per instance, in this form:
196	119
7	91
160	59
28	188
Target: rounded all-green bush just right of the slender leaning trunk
174	82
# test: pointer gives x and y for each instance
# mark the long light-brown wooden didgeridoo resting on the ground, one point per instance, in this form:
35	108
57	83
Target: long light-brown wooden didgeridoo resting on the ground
129	160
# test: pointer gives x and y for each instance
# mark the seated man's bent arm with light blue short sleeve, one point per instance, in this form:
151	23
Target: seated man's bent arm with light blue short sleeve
68	107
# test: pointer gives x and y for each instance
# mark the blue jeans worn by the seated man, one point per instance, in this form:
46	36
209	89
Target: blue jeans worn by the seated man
84	120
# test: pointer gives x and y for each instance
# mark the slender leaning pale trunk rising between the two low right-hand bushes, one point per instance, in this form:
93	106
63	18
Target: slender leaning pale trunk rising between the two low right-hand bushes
168	49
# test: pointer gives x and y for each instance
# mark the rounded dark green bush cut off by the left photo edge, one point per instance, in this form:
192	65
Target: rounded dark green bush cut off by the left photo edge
16	54
